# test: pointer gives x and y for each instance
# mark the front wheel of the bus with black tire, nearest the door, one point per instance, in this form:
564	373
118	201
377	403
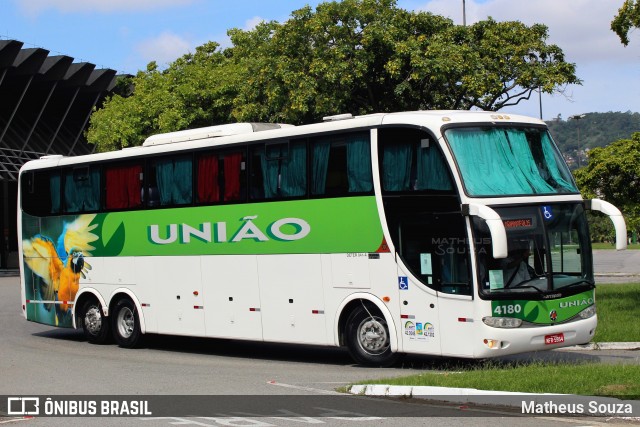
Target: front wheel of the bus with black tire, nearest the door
368	339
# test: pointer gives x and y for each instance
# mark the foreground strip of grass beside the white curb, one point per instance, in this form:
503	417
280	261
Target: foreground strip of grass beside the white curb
621	381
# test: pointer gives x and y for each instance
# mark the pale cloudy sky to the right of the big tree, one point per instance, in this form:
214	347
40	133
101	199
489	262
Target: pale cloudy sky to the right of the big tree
581	28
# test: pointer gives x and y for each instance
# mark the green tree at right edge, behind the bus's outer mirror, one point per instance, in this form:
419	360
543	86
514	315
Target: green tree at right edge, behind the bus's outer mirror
613	174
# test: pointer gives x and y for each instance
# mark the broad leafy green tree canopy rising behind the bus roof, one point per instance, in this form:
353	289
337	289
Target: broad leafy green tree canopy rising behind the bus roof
357	56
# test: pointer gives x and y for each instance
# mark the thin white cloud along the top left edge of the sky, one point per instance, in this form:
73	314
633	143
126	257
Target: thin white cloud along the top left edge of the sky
36	7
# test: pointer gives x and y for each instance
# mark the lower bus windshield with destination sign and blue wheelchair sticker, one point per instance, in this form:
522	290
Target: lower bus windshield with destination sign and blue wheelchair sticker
549	251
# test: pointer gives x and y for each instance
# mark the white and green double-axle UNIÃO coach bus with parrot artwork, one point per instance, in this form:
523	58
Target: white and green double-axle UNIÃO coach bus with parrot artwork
449	233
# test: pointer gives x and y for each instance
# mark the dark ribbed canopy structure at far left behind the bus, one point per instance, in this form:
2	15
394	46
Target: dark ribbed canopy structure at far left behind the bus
45	104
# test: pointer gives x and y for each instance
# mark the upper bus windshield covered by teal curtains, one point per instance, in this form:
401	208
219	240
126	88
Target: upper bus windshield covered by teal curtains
509	161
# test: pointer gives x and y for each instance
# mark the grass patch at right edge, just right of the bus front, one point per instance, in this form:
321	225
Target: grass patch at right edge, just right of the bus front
618	308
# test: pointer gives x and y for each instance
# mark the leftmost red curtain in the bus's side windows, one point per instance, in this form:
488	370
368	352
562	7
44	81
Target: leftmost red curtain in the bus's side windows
123	185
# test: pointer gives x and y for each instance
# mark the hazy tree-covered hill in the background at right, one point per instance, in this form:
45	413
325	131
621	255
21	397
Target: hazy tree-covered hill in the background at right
576	136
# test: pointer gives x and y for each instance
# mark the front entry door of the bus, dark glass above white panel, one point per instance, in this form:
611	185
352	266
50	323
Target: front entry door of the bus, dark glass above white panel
436	293
